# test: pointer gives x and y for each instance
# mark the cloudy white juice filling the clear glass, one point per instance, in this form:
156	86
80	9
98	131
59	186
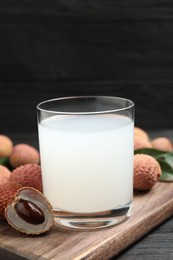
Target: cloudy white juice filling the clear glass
87	161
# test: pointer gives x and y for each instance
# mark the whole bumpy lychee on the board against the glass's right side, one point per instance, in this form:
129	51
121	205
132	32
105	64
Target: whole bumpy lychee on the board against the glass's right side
146	172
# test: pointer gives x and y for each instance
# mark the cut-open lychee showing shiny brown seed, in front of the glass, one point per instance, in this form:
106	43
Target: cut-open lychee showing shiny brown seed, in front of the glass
29	212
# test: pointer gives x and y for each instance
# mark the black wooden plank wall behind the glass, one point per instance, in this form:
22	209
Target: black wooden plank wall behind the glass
59	48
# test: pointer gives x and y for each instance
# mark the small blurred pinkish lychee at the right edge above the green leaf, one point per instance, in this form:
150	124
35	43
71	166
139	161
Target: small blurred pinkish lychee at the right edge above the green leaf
162	143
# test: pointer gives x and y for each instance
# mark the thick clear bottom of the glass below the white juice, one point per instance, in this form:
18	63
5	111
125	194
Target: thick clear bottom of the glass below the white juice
92	221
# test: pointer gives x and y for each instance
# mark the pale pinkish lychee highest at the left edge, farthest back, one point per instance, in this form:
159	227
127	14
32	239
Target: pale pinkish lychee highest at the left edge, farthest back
6	146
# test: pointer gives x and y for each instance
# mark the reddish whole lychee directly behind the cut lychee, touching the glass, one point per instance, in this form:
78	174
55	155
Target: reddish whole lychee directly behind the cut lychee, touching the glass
28	175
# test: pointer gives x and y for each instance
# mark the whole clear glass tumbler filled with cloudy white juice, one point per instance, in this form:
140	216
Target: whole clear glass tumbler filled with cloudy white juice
86	150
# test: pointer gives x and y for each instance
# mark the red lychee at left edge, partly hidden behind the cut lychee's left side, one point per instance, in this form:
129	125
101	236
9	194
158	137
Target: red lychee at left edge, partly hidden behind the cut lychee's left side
7	192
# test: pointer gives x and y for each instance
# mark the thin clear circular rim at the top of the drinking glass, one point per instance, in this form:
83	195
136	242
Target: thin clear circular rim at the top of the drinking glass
131	105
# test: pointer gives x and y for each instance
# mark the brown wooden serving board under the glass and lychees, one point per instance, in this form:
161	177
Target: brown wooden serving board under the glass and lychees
149	210
